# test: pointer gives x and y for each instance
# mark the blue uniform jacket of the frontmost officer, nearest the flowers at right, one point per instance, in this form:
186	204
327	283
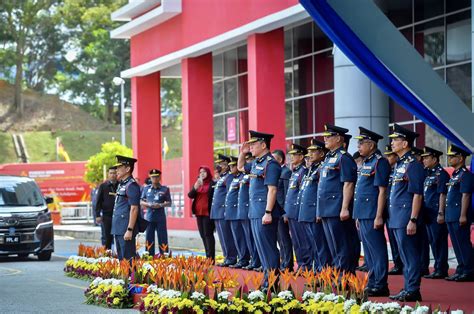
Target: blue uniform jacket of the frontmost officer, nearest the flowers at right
408	179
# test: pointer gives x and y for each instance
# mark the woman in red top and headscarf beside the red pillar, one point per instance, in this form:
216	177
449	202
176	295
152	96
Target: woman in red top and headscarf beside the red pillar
202	193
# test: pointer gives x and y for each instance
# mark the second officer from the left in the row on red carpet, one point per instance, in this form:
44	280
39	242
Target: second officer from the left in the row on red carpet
232	215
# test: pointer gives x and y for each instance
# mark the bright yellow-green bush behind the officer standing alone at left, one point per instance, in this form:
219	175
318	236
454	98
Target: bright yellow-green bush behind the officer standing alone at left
105	158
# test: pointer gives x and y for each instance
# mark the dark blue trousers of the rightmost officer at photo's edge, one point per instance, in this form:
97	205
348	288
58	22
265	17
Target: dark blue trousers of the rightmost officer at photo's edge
461	239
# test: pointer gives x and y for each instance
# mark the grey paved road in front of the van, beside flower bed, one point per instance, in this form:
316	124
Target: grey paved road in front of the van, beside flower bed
31	286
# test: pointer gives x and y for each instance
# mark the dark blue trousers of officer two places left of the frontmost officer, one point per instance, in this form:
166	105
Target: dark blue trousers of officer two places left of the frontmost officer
343	242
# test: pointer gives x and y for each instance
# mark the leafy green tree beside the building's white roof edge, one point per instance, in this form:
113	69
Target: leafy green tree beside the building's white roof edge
93	57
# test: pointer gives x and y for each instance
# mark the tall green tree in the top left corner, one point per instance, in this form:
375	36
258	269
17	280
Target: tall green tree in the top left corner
31	43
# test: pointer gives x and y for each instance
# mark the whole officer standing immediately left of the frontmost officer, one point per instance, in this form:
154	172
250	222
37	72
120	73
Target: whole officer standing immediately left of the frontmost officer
369	206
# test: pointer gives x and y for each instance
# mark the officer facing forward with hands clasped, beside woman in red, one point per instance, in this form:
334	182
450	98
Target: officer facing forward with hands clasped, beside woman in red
155	197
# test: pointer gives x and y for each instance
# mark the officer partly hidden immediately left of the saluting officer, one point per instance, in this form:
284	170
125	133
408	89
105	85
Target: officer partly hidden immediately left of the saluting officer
243	215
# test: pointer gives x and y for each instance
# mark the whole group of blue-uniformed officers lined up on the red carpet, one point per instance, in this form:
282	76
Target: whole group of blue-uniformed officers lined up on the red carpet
331	205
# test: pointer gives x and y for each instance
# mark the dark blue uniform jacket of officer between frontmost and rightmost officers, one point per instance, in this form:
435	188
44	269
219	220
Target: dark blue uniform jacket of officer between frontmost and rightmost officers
436	181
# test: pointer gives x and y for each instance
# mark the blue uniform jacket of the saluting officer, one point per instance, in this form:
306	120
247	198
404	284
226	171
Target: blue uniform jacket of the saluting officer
263	171
